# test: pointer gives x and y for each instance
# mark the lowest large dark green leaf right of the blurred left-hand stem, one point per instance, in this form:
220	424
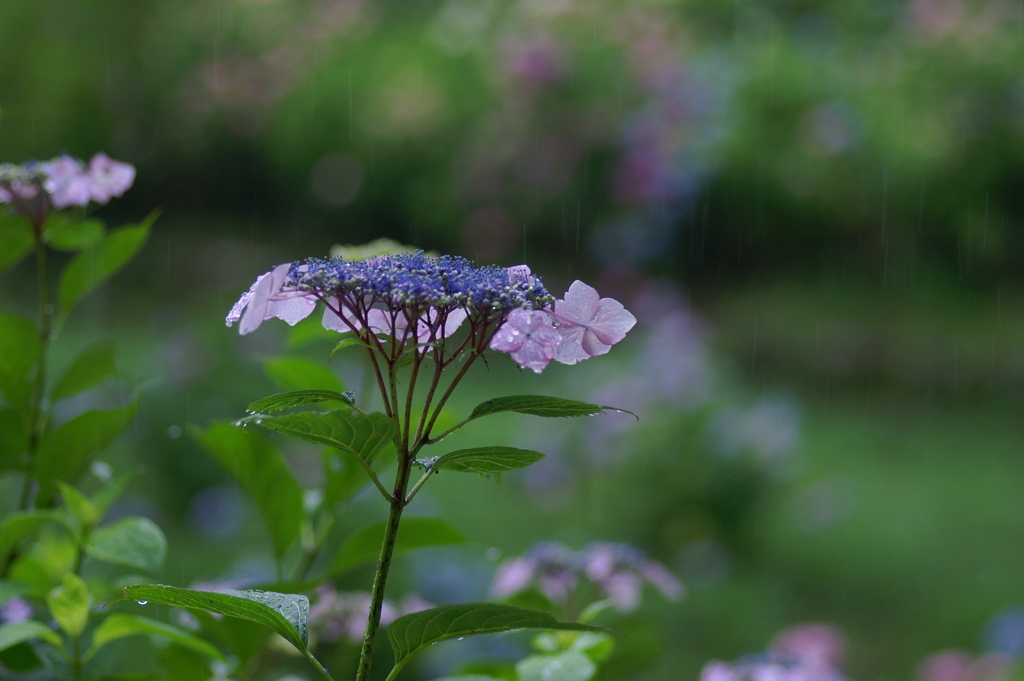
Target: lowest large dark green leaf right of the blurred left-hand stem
64	454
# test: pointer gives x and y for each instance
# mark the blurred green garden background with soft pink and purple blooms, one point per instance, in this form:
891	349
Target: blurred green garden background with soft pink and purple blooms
814	208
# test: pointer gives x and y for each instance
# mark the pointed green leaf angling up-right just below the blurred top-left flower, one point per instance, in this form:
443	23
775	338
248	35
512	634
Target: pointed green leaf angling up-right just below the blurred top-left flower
94	267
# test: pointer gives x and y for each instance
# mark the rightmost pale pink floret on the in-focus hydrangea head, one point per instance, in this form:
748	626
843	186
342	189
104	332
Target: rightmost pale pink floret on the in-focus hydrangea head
589	325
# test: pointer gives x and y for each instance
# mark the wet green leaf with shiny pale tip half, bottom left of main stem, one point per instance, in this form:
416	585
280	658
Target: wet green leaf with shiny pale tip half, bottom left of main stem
288	615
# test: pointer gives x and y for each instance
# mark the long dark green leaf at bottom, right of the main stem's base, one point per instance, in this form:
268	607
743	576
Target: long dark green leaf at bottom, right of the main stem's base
414	632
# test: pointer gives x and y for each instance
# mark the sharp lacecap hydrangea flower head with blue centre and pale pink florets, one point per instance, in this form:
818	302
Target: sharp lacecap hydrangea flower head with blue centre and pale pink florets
416	300
